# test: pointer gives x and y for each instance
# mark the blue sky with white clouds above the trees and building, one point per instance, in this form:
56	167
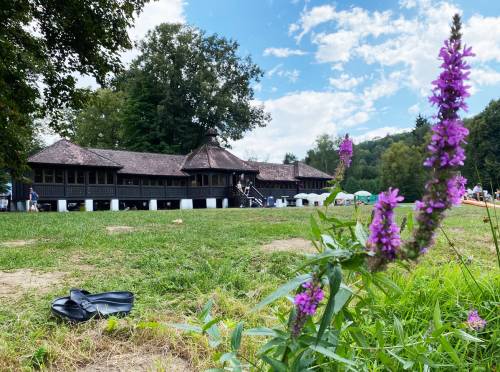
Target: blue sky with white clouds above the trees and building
358	67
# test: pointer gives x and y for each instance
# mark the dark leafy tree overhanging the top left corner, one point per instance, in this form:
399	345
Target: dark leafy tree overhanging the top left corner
44	44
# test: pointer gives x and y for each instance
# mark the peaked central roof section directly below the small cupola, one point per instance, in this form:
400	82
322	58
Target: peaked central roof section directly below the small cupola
211	156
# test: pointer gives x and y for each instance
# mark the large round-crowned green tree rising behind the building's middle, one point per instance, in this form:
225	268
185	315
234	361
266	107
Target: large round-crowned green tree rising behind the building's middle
184	82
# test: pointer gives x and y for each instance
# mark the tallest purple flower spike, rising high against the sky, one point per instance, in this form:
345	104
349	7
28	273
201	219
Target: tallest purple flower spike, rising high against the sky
446	153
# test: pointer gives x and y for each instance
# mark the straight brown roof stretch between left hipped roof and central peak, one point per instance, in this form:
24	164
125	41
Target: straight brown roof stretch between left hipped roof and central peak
145	163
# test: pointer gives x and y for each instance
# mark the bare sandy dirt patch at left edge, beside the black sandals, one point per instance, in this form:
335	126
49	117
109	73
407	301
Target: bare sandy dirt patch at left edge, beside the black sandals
14	283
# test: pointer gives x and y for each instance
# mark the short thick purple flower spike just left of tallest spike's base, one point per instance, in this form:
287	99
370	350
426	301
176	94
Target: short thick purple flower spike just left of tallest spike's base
384	236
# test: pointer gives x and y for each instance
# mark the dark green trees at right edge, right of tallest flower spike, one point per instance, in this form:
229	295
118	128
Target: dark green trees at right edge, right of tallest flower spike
483	149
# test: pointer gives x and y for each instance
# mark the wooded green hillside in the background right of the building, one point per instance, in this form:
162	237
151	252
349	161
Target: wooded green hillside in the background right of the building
395	160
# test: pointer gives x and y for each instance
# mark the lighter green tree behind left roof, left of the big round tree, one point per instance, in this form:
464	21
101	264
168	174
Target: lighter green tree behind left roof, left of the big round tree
100	123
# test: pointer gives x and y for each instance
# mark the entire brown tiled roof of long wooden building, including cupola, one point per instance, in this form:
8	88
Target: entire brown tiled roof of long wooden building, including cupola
208	156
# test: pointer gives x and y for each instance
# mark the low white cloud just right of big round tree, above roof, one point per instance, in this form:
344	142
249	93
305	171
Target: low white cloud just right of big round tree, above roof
299	118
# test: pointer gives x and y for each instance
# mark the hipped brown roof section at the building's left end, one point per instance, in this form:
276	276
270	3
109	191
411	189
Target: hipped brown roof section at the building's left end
66	153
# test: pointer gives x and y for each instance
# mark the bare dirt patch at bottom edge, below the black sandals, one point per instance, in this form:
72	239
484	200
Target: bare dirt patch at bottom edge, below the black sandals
139	362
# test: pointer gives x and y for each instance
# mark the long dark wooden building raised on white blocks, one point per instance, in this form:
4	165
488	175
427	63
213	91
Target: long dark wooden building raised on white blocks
114	179
